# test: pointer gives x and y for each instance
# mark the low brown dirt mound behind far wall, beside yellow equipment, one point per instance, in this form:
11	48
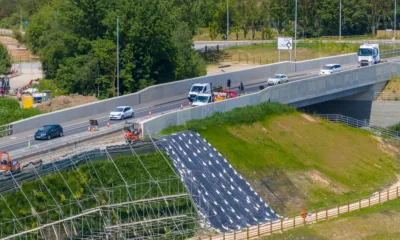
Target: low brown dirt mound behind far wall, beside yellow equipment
62	102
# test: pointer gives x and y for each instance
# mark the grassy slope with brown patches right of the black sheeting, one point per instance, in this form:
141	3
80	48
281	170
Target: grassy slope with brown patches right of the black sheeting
295	161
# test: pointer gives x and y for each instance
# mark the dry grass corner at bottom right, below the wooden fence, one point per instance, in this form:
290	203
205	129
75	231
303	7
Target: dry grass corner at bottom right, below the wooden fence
379	222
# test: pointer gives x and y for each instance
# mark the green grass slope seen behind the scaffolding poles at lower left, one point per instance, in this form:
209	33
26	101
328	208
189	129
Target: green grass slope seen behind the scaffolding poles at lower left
83	183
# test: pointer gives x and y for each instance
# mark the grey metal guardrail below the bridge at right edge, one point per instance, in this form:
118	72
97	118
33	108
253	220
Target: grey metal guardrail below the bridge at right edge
364	124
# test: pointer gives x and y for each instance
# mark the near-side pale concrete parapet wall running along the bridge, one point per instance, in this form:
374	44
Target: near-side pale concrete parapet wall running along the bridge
317	88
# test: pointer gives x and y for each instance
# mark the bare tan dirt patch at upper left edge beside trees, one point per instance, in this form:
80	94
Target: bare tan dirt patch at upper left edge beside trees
18	51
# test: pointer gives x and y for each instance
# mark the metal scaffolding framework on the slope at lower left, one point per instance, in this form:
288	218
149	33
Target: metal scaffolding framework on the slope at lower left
149	208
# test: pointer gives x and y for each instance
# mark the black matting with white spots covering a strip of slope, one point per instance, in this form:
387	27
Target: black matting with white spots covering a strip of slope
224	199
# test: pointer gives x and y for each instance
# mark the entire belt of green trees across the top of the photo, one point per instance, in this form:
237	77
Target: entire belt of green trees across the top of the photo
76	39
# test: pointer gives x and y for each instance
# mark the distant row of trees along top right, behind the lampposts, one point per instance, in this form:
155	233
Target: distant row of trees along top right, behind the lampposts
315	17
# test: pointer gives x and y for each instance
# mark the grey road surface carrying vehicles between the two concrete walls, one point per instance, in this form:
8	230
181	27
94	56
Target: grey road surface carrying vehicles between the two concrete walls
13	143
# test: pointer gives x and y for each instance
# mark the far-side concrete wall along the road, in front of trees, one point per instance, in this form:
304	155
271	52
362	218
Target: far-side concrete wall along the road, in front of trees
175	90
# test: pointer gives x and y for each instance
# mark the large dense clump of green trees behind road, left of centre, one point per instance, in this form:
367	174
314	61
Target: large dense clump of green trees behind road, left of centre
76	41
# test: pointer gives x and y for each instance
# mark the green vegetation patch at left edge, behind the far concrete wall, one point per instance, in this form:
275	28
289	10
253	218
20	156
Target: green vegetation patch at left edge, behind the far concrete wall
10	111
